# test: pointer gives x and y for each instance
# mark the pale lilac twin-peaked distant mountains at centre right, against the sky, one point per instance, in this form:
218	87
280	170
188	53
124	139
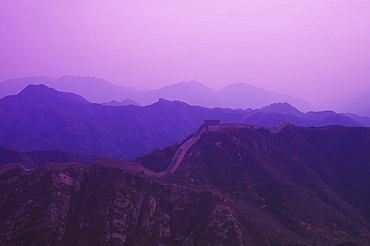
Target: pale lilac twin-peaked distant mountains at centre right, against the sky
233	96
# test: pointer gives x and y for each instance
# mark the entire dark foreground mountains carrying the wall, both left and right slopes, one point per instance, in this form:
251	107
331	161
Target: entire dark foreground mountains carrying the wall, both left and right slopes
236	185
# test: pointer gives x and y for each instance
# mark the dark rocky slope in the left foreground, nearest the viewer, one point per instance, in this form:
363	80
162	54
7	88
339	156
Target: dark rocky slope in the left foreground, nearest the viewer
103	205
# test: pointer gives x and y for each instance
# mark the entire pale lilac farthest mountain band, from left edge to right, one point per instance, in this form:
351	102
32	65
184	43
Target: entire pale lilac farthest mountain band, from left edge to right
192	92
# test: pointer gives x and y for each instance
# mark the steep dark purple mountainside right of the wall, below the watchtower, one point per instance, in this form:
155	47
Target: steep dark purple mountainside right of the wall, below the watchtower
314	181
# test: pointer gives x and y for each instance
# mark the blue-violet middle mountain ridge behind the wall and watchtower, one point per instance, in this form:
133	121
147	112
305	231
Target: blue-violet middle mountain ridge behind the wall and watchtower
41	118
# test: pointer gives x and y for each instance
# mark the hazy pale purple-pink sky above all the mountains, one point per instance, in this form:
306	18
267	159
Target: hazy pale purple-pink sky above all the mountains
313	49
